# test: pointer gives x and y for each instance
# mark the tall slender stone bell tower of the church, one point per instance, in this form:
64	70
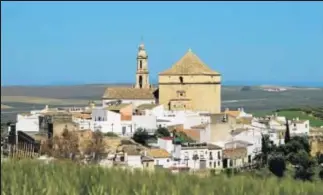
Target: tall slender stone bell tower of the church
142	74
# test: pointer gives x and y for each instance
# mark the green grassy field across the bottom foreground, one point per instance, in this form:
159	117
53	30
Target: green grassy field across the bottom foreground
30	177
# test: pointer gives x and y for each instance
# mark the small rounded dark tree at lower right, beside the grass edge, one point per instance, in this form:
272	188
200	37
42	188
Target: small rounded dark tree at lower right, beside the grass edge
277	165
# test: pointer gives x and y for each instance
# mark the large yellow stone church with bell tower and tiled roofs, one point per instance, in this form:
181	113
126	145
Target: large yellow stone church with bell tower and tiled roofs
188	85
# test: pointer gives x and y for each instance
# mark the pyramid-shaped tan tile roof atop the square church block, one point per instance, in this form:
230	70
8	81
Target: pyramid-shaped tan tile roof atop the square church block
189	64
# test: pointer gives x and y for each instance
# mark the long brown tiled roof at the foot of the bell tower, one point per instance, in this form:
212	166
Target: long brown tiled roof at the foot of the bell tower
129	93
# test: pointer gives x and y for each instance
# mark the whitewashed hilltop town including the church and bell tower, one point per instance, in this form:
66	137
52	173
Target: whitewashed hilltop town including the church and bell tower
179	125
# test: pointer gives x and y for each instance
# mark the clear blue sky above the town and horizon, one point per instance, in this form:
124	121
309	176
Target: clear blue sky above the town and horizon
96	42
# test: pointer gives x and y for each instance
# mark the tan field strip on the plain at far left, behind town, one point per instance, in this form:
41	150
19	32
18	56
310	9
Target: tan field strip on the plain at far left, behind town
41	100
